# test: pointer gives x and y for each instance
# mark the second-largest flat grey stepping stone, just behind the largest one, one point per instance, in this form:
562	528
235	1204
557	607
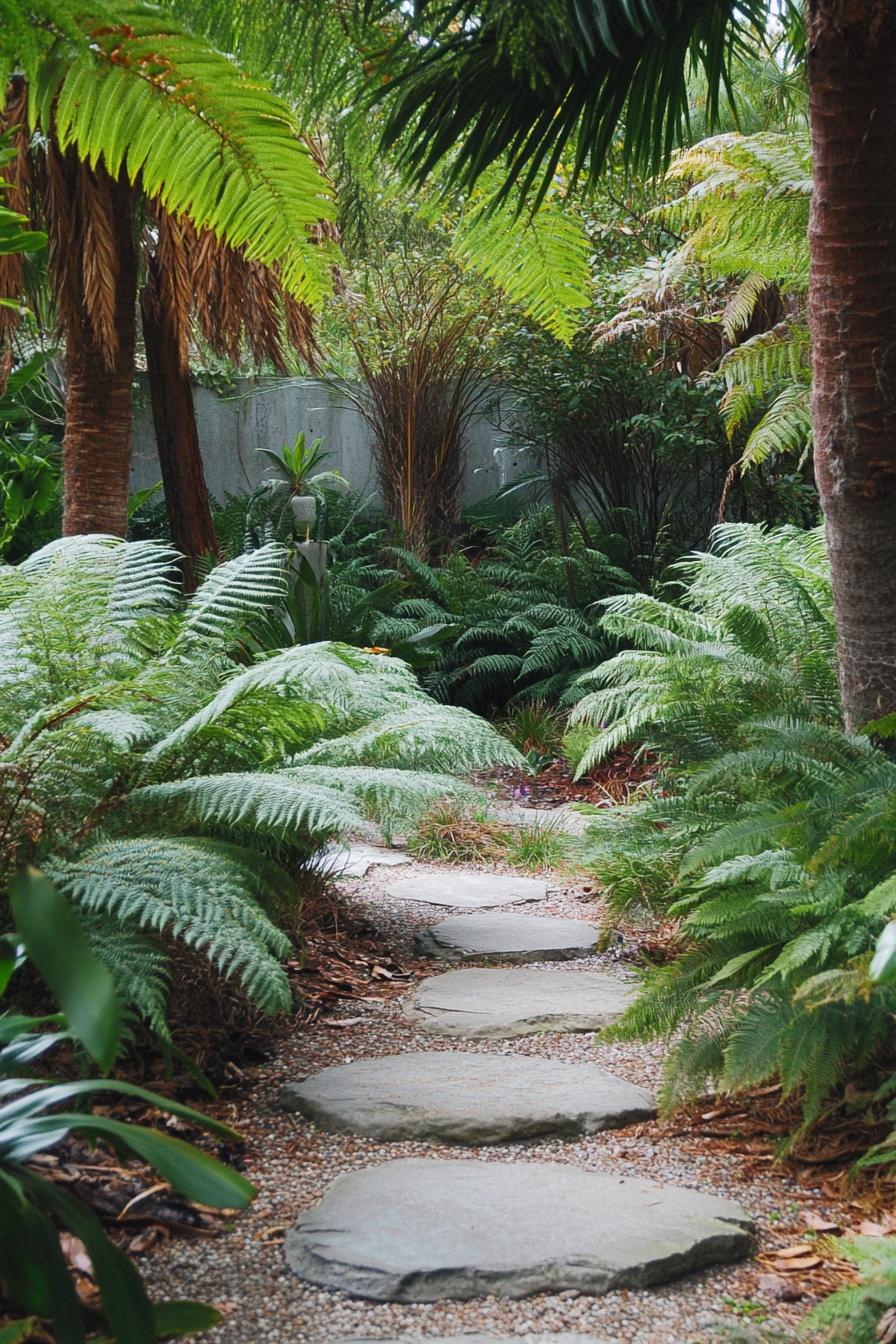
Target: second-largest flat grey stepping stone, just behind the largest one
467	1099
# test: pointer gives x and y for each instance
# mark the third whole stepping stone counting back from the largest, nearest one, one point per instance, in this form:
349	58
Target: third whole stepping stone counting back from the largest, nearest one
500	1005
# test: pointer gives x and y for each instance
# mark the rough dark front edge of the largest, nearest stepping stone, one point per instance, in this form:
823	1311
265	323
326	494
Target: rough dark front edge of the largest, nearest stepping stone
461	1286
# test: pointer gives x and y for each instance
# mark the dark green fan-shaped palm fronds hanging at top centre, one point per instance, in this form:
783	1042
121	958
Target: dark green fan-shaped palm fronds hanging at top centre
535	84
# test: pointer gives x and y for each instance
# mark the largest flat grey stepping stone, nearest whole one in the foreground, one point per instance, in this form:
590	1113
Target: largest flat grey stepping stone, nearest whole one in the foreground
421	1230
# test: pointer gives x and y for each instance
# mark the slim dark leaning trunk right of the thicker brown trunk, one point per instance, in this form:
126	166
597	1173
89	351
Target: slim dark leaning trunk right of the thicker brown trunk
174	416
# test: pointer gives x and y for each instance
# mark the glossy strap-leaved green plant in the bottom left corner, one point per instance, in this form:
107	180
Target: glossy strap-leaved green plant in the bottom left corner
38	1114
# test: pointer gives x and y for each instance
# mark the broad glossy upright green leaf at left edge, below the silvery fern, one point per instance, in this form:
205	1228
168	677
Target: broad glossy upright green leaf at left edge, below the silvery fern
64	958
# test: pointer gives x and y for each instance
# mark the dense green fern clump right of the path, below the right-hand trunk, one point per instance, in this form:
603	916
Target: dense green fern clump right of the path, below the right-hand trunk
769	835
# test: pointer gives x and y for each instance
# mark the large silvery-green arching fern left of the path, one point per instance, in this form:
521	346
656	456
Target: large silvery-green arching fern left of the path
169	790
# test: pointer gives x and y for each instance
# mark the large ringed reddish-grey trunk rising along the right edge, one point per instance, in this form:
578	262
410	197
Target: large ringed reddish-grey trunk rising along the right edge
852	83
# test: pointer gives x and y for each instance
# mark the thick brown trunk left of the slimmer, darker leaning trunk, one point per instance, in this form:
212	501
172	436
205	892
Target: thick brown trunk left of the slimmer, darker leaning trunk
96	448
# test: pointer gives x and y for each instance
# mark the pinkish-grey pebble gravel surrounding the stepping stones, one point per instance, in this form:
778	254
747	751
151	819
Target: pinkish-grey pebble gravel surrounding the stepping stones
292	1165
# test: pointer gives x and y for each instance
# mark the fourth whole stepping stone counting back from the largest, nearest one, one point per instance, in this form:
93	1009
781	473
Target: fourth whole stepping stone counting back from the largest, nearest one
508	937
